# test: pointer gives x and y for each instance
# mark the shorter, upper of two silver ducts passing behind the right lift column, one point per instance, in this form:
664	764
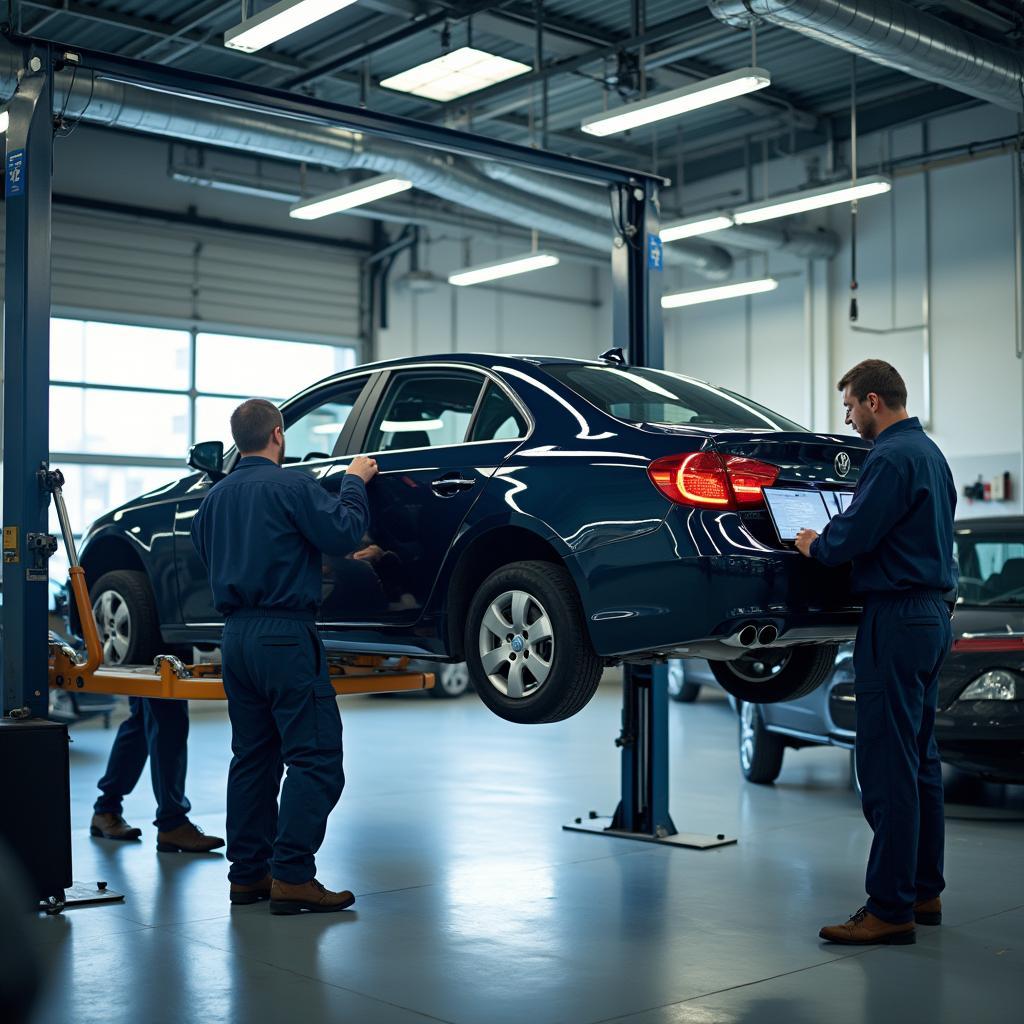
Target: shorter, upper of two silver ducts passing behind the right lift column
800	242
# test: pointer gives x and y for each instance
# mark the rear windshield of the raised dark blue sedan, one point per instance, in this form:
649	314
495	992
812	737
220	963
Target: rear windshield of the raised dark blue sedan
642	396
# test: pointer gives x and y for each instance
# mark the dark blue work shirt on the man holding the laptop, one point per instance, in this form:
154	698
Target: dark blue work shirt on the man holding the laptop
899	531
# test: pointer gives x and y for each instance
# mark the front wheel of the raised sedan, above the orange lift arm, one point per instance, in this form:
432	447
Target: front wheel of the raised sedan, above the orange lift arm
126	618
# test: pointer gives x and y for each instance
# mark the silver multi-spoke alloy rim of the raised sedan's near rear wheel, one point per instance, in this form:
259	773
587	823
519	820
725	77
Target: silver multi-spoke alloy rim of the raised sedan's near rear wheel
517	645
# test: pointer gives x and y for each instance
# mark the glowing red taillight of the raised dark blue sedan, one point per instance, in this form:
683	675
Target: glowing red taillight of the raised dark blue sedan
705	480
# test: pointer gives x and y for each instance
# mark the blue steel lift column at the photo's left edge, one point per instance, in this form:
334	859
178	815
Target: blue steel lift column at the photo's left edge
27	544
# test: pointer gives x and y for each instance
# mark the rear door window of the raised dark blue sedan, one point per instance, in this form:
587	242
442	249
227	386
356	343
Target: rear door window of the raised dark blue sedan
424	409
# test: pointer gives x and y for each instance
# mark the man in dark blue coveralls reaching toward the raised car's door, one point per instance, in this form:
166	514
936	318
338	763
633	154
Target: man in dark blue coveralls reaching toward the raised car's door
261	533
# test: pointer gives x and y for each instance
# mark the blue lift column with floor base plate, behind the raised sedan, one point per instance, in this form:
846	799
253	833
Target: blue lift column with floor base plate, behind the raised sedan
643	814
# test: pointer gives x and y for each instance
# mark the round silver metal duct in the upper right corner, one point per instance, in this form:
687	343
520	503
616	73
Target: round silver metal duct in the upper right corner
899	36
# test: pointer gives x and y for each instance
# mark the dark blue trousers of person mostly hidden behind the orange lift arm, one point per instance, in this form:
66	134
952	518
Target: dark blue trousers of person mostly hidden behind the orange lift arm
158	731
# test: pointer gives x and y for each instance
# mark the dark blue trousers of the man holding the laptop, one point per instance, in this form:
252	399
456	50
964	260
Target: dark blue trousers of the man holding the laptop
902	645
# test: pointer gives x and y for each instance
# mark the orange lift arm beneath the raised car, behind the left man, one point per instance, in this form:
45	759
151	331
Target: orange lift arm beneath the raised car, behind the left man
170	678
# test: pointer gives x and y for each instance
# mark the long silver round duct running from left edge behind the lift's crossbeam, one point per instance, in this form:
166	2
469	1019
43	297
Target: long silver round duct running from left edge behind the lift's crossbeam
116	105
